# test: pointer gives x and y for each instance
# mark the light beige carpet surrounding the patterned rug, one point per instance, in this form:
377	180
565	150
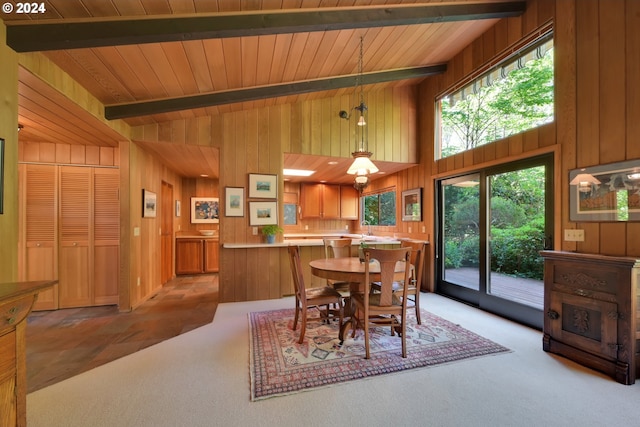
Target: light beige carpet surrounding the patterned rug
202	379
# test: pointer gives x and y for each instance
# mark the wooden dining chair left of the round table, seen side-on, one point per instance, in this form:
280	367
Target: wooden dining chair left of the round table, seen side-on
323	296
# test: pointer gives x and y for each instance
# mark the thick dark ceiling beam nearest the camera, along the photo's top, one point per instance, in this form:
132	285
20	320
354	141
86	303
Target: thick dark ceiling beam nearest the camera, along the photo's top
42	36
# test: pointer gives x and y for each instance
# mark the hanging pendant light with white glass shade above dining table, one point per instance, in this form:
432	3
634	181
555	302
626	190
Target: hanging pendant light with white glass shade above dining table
362	165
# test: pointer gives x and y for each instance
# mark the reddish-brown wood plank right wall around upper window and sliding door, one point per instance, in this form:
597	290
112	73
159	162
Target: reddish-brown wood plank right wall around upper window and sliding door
597	105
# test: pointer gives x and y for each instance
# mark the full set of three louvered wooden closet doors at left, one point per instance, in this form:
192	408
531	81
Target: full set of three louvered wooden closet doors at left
70	231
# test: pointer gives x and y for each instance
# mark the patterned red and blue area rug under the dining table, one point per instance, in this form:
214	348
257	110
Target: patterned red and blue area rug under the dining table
279	365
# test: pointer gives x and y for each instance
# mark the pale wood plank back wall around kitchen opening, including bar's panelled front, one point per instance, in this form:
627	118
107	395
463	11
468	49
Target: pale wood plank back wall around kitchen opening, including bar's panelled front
254	142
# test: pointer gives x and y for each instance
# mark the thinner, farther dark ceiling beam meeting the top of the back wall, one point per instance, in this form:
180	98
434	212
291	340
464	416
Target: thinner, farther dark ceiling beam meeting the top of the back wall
144	108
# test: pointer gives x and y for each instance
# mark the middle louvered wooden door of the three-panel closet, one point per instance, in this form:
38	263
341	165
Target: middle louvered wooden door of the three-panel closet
75	263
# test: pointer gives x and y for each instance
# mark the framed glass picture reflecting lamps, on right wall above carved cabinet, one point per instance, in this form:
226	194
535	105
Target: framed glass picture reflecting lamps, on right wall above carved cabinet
605	193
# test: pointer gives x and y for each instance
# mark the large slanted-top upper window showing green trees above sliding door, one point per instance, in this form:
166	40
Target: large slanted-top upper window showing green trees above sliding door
512	97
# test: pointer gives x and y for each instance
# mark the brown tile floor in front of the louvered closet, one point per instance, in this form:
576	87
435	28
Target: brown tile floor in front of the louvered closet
64	343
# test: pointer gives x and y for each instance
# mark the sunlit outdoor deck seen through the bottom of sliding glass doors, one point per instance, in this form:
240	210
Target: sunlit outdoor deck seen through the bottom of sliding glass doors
524	291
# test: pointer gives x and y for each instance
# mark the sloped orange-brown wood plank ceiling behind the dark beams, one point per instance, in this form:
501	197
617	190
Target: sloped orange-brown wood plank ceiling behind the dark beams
152	61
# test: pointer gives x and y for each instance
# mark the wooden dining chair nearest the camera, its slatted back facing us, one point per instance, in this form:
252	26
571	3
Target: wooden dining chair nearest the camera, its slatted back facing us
383	307
